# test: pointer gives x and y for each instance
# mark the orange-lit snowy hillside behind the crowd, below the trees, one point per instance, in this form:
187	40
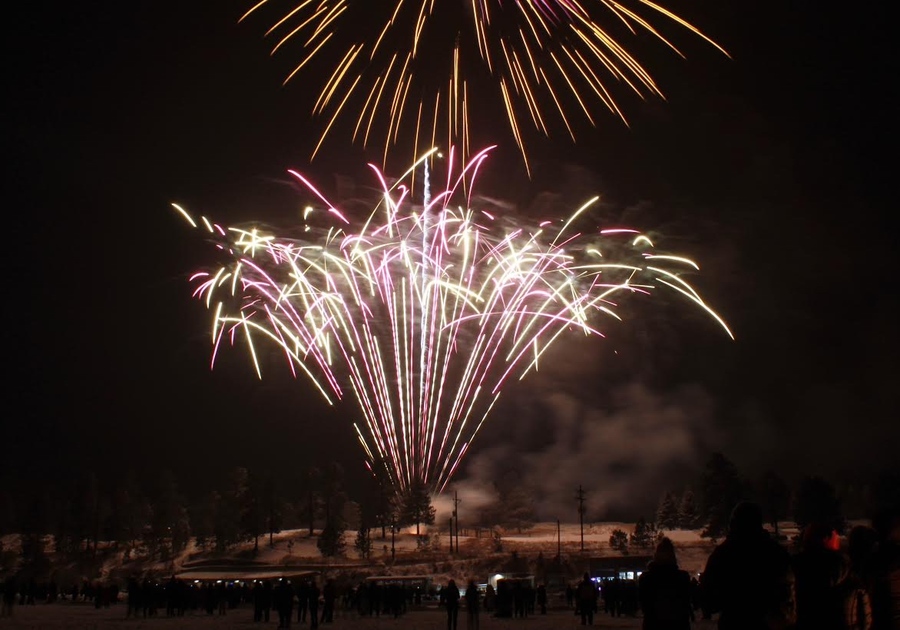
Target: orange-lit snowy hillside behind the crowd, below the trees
478	556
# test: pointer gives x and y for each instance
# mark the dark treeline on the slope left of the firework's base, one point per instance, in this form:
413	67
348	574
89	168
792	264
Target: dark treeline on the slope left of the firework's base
155	521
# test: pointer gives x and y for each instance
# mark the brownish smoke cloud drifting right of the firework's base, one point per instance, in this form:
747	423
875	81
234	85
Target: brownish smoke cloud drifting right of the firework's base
624	443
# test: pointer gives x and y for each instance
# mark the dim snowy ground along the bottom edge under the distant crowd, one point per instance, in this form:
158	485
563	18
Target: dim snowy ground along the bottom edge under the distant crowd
85	617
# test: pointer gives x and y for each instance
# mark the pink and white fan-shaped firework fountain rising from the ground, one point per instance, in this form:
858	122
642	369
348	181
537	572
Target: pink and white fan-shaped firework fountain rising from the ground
424	312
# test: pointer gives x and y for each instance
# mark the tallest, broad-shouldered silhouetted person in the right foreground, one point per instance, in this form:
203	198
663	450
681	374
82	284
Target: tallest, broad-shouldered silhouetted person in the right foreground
748	577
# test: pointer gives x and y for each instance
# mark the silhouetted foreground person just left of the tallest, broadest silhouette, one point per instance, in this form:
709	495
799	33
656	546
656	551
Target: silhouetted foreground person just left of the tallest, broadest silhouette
665	591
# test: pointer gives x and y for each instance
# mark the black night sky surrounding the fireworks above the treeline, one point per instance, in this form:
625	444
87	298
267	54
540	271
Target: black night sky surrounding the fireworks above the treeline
773	166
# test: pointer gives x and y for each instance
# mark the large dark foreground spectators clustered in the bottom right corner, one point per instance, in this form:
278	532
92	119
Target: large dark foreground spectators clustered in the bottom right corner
751	582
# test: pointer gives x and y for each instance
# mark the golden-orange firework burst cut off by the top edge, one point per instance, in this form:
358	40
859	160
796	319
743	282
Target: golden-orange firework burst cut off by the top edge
428	61
